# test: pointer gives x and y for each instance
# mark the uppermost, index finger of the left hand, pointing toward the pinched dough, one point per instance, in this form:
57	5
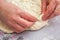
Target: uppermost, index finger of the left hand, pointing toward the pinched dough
27	16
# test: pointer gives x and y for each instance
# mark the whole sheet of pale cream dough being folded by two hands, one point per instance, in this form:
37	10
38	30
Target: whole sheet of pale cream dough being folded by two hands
33	7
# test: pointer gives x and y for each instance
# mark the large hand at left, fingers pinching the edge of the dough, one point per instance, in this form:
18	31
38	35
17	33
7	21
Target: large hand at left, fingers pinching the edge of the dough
16	19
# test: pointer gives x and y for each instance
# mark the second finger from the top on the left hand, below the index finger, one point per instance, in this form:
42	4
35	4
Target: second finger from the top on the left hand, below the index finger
24	23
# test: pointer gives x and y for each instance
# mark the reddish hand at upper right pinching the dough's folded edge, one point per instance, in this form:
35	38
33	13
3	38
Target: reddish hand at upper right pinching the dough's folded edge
50	9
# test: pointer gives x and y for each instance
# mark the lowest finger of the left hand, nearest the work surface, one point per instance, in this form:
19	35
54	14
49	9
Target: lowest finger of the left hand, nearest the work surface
15	27
